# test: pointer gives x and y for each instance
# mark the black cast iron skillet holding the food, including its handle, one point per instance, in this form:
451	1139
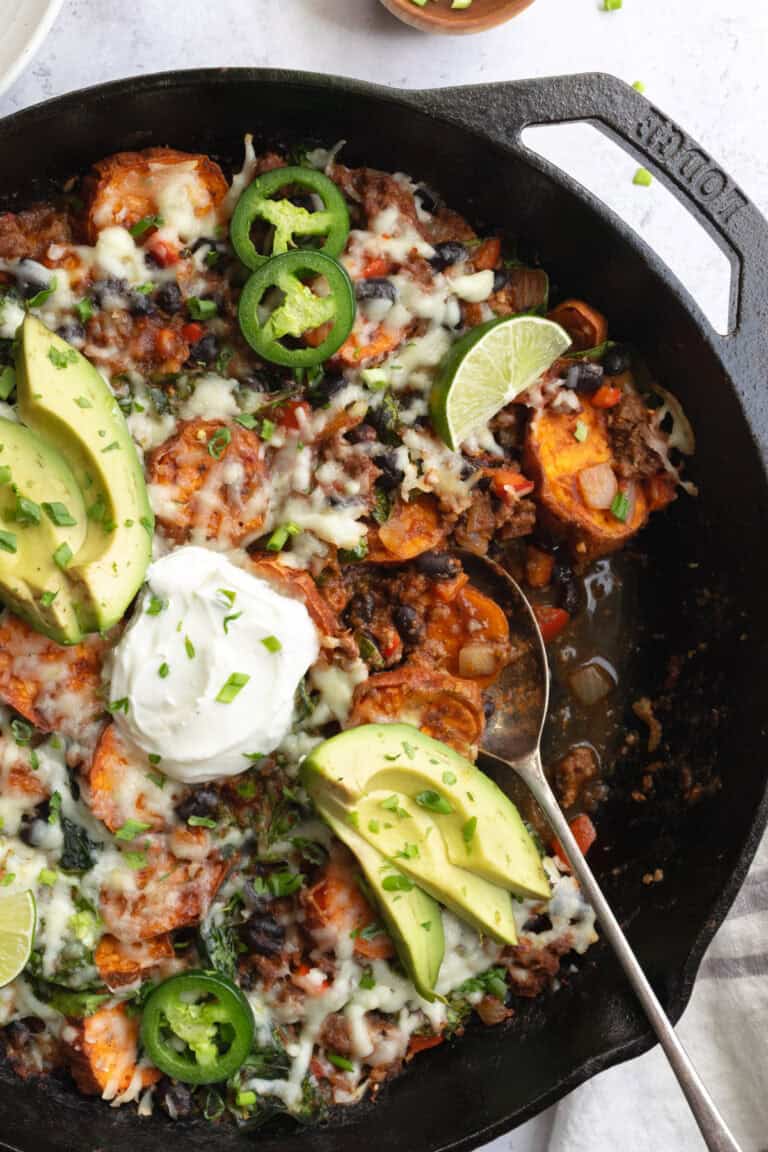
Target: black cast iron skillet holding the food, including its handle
701	588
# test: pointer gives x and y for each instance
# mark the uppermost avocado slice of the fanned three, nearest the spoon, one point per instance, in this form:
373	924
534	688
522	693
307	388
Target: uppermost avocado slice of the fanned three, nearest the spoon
481	827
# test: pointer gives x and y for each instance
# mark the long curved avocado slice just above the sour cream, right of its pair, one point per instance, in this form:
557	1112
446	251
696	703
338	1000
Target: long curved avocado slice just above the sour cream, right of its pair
65	400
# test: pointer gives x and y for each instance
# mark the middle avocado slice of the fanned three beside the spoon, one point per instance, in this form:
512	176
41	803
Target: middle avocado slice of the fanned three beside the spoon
407	839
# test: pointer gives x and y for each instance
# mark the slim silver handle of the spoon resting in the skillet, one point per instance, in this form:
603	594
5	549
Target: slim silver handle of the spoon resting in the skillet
717	1134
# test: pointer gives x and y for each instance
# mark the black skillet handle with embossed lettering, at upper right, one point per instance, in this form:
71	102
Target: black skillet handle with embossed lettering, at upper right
503	111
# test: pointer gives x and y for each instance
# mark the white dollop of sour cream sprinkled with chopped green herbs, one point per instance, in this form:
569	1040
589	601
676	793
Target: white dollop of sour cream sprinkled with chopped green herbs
209	666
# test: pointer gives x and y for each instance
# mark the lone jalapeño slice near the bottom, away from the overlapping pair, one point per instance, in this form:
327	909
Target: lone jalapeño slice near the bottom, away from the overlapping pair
197	1027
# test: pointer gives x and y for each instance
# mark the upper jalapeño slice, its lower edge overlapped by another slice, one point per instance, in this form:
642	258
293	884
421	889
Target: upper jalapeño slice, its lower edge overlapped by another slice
286	224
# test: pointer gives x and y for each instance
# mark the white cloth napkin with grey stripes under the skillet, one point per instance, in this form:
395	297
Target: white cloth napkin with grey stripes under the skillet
637	1108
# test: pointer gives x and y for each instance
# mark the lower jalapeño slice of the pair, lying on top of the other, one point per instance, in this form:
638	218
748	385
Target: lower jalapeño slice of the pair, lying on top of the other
298	310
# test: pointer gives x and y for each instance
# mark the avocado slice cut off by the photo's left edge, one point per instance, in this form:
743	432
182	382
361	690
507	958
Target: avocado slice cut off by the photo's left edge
34	475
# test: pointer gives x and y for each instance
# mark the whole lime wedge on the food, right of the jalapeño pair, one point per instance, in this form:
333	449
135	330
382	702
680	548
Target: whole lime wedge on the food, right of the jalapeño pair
488	368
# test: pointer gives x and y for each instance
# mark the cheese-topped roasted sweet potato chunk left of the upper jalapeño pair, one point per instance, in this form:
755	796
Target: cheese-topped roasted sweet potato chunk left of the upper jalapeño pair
131	186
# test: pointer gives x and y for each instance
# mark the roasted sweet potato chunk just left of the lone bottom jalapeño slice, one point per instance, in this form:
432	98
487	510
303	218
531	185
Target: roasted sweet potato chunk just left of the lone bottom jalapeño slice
103	1055
